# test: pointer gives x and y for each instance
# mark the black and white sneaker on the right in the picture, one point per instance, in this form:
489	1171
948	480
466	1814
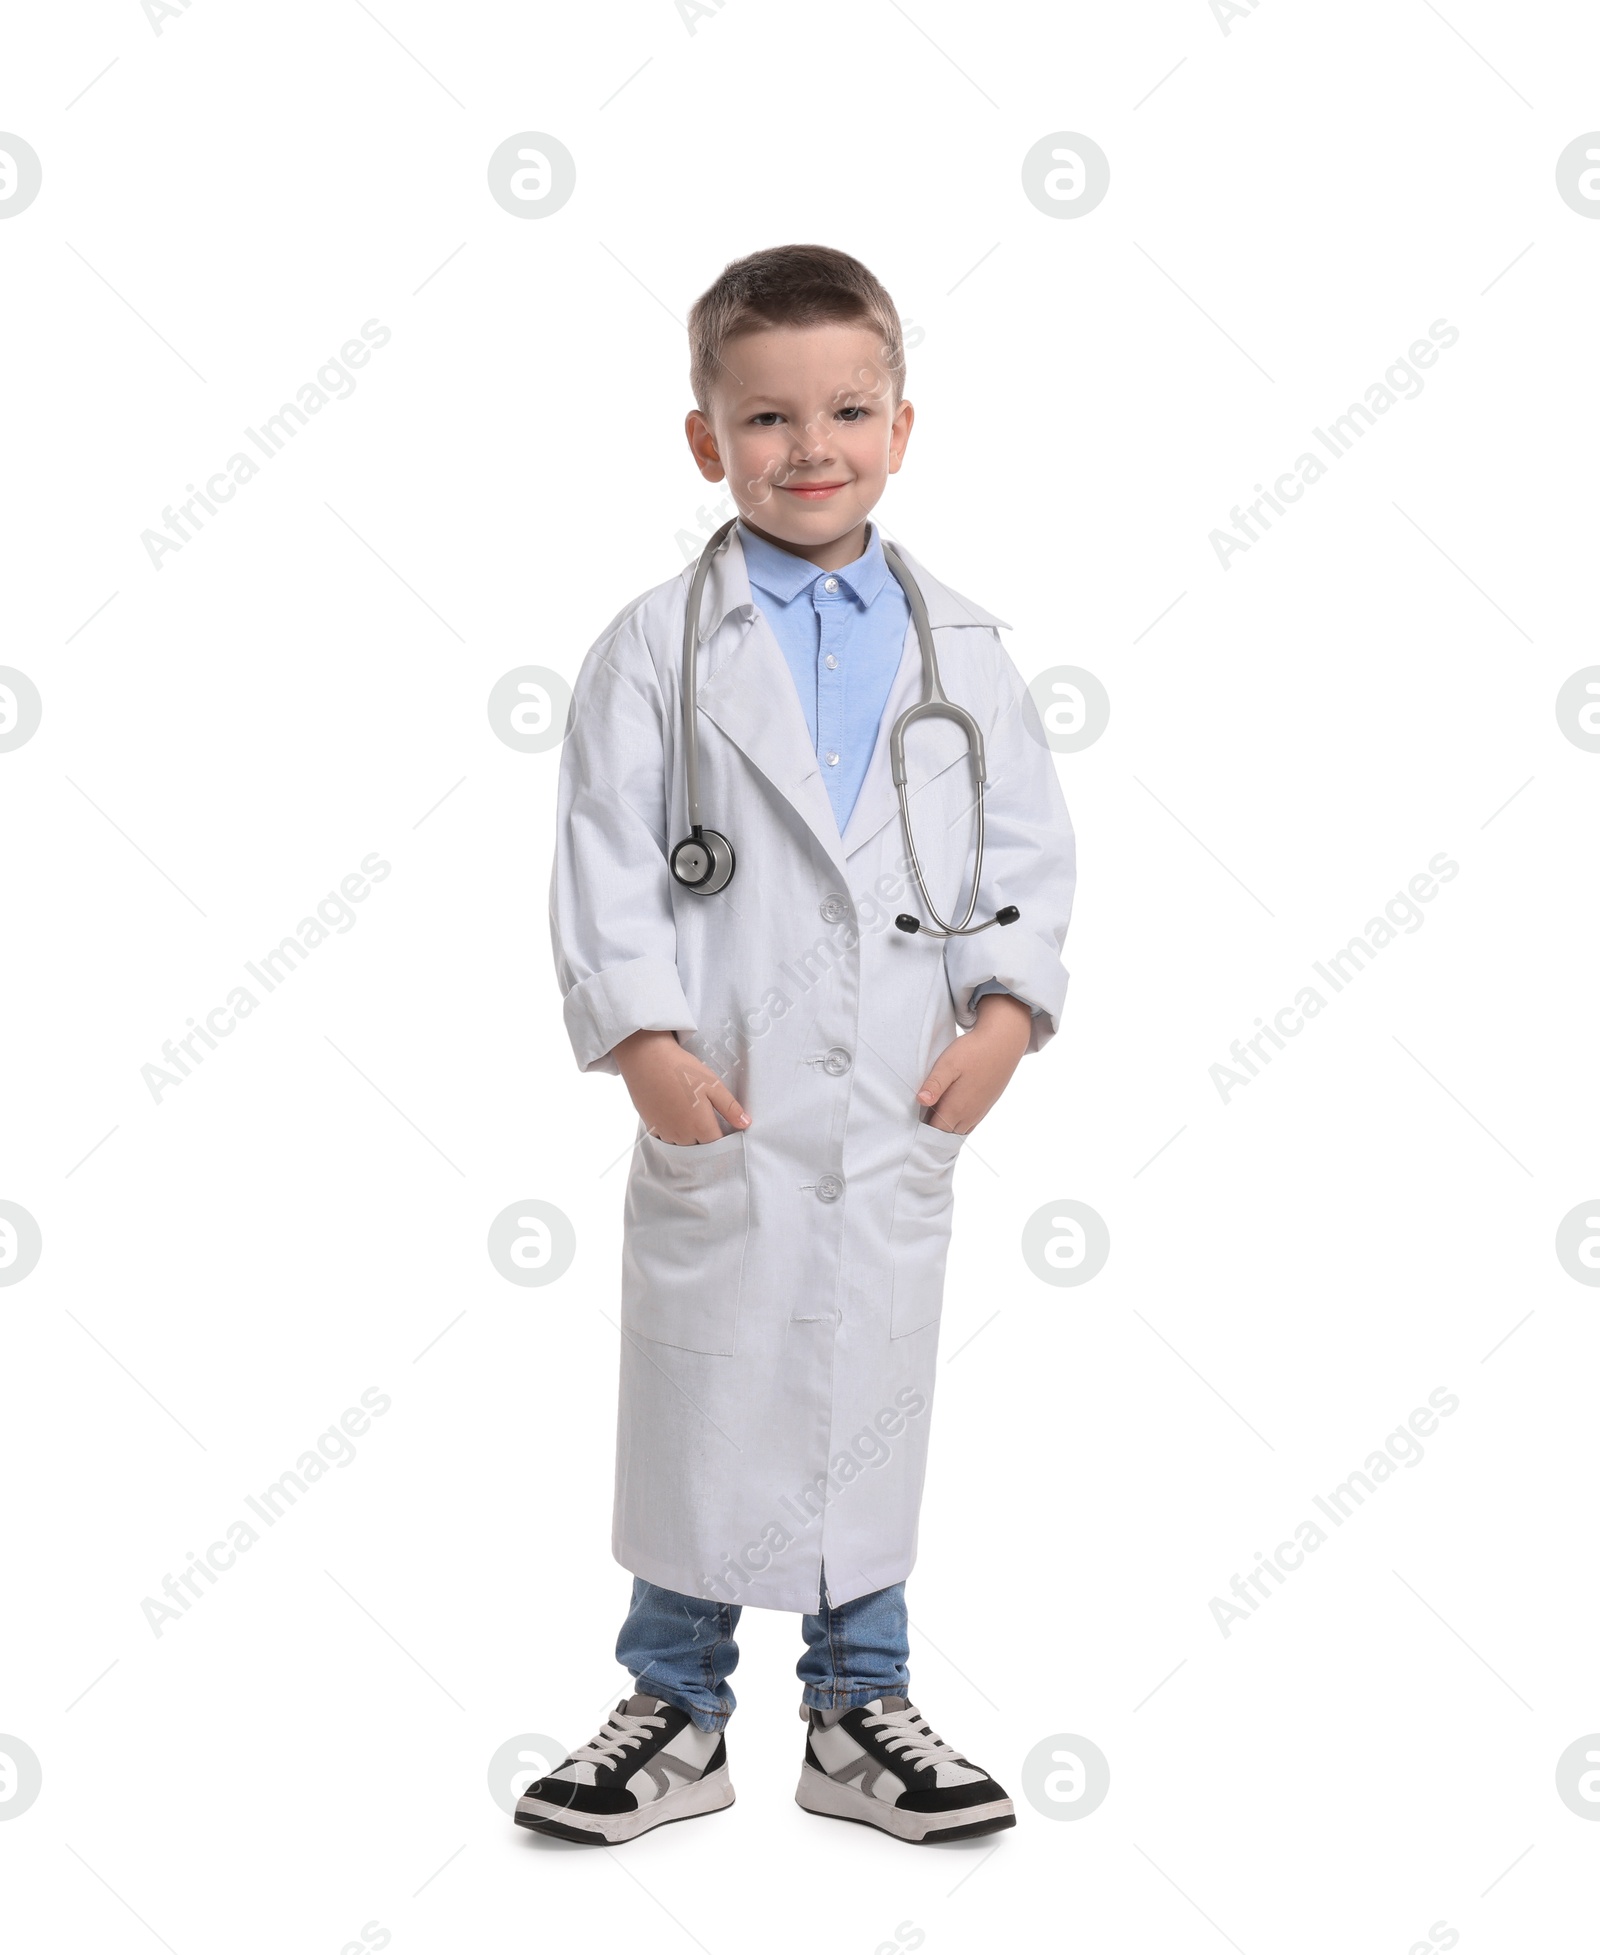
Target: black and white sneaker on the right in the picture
887	1768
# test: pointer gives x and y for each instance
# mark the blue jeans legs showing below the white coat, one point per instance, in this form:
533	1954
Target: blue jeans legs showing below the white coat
682	1649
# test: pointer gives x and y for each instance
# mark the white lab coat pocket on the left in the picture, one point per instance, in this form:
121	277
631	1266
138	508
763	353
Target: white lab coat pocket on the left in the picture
686	1225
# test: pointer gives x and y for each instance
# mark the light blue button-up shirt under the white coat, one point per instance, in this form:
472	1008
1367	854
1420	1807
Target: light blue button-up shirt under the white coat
842	634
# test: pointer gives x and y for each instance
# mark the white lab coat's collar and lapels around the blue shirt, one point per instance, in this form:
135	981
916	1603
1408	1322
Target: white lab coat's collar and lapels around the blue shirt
748	691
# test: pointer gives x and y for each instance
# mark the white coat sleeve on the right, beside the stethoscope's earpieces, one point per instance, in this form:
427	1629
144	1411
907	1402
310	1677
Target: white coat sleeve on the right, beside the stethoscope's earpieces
1030	859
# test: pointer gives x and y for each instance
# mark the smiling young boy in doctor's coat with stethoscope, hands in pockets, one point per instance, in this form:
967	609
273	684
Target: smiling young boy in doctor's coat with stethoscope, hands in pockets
805	1072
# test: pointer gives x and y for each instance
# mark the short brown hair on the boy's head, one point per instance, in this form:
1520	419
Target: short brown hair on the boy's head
789	286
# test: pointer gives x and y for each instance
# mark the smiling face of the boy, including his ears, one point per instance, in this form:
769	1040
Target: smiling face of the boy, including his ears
805	429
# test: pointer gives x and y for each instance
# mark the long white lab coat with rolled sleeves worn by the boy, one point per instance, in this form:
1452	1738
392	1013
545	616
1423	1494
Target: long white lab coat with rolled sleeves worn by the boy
781	1285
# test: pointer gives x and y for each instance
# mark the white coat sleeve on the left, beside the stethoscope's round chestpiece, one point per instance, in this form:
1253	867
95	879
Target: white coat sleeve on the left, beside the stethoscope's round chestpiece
611	912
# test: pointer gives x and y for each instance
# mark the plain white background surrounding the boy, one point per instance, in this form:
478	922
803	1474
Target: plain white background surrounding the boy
306	681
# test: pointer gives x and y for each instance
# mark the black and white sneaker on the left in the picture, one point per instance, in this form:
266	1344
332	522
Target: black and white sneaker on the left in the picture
650	1764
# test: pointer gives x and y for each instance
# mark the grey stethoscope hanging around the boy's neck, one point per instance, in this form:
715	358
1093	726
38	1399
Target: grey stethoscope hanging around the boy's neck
703	861
